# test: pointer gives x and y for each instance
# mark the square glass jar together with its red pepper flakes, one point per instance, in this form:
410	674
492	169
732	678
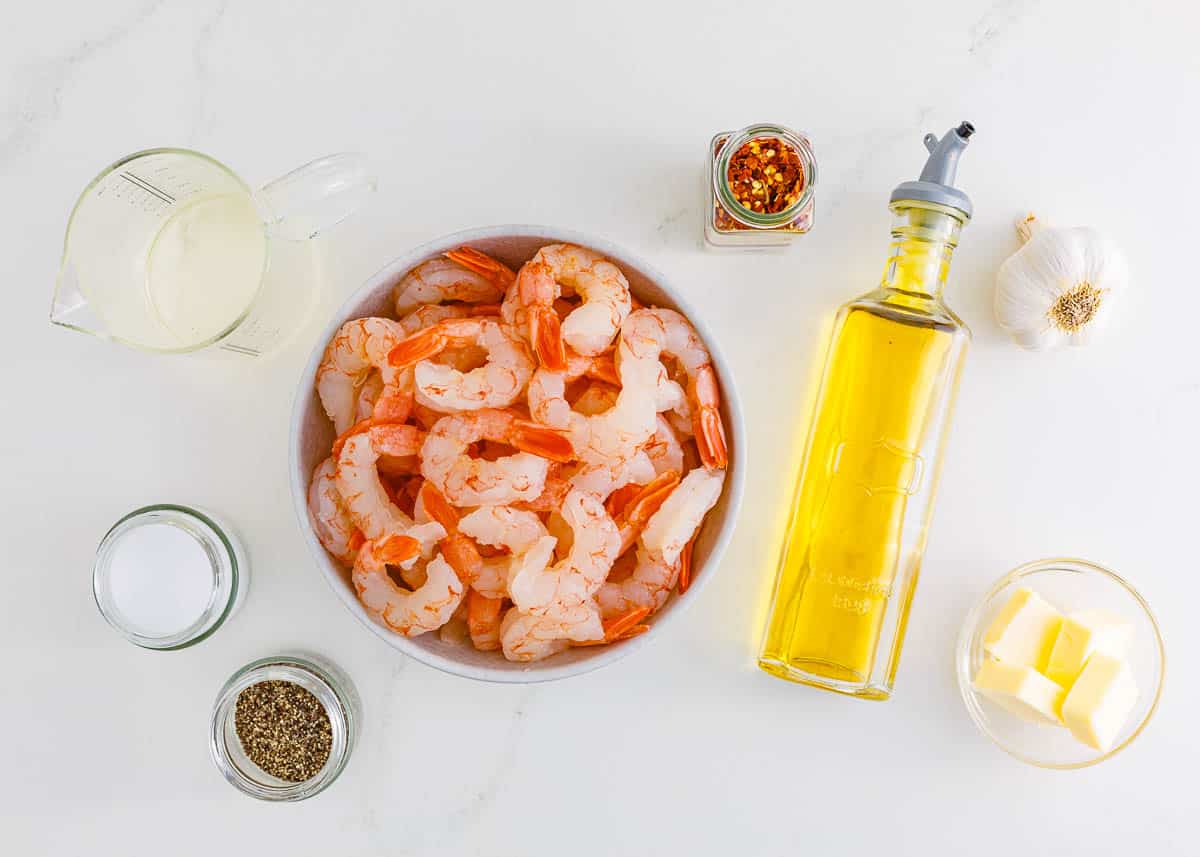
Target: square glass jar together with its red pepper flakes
760	188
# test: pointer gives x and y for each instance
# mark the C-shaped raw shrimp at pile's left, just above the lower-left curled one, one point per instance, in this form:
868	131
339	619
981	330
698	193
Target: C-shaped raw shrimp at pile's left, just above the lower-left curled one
365	496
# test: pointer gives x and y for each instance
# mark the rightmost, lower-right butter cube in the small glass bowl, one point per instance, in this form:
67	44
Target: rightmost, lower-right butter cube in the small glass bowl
1101	702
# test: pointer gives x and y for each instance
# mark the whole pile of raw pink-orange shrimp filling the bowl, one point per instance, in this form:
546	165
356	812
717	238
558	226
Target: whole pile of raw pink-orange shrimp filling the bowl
523	459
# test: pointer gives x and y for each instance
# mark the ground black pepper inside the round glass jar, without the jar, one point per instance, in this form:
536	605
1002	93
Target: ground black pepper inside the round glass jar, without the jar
284	730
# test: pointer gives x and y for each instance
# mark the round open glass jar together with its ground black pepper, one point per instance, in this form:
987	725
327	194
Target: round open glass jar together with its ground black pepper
284	728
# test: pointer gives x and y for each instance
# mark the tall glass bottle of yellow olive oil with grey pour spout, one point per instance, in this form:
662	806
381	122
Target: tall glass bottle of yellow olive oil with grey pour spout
861	516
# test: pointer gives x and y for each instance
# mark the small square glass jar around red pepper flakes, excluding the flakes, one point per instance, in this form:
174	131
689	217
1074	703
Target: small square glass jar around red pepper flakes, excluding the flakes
730	225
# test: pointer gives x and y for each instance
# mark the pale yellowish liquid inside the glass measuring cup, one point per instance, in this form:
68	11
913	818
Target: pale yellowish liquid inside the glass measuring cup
203	271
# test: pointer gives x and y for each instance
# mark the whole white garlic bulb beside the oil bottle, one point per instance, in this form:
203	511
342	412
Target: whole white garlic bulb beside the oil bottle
1059	289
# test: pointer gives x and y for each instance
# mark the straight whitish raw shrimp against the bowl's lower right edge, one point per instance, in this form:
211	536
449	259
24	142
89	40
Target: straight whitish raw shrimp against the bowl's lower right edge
662	547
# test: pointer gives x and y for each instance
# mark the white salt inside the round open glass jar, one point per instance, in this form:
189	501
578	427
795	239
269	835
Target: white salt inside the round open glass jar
160	579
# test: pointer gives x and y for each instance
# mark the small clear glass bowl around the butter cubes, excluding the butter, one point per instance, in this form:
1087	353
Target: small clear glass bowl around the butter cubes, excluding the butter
1070	585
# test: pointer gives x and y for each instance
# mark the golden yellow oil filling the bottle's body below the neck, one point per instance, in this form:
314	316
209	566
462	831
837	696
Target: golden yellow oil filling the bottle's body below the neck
847	540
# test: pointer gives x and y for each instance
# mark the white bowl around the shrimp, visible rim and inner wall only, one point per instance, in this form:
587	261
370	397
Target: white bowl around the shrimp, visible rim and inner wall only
313	436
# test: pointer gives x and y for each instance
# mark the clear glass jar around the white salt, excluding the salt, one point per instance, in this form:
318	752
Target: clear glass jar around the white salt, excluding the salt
221	553
